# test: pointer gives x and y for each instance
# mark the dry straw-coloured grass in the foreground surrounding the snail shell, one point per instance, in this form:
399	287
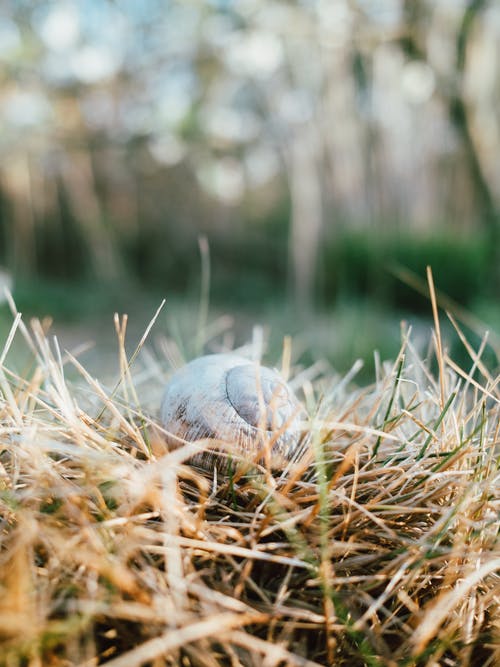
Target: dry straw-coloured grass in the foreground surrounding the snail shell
379	548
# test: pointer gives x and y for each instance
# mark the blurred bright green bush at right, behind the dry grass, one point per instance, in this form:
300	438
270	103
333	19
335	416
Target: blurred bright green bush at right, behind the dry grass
368	265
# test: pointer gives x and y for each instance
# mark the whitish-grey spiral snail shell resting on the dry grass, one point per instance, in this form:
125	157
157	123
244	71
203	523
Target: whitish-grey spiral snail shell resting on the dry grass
245	408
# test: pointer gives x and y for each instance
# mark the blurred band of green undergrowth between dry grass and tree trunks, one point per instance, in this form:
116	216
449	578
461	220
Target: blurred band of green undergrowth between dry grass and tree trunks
366	286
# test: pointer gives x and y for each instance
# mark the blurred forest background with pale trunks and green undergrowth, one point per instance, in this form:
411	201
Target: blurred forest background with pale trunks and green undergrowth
301	161
